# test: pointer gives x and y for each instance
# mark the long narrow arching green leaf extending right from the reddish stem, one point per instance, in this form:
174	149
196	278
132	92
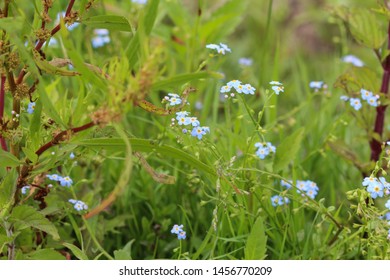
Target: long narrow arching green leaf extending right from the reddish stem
143	145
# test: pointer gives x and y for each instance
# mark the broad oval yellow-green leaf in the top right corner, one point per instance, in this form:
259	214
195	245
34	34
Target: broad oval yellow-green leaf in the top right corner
365	28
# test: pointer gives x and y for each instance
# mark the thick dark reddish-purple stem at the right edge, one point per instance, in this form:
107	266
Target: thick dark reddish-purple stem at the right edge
376	146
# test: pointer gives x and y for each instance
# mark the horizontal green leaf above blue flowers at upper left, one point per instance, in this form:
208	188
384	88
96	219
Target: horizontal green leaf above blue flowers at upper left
111	22
